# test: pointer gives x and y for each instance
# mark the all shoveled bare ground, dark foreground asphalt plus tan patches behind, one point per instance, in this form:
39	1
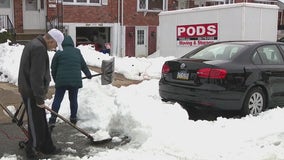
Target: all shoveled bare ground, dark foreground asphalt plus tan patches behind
69	139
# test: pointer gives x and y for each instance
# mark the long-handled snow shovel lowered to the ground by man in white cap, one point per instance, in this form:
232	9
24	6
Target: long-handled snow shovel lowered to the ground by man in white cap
93	142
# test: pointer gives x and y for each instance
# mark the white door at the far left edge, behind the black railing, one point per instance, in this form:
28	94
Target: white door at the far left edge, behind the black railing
6	8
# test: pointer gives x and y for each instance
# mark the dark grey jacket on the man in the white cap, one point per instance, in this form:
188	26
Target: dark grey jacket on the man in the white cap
34	73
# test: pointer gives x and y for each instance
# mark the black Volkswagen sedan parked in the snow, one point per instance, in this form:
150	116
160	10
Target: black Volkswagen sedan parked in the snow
246	76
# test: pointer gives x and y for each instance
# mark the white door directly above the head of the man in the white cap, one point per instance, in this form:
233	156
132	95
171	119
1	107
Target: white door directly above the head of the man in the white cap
34	12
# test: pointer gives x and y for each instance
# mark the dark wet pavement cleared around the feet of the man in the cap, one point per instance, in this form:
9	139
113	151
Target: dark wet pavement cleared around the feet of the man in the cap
72	142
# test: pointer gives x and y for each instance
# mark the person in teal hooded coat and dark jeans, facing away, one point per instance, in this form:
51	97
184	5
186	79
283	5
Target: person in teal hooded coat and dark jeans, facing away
66	67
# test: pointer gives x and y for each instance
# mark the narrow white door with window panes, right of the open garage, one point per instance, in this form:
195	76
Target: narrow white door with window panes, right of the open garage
141	41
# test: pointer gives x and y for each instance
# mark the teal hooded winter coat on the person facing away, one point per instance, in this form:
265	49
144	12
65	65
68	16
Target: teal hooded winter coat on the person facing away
67	65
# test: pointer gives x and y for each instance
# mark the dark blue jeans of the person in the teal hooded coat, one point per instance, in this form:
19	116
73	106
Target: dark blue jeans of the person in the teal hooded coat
59	94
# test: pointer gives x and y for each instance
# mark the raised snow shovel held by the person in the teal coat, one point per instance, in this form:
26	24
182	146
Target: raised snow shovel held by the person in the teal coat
107	70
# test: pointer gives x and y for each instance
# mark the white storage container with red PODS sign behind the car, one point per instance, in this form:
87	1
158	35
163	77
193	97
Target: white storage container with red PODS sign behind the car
181	31
